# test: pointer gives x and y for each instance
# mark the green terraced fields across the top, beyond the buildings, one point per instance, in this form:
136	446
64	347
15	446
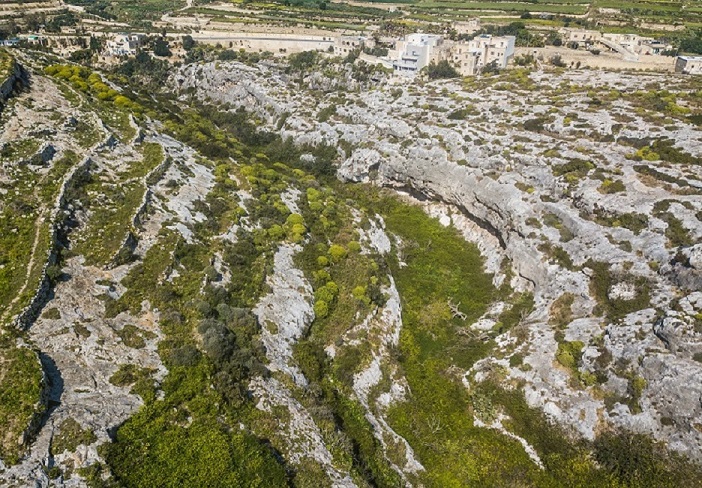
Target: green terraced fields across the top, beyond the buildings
398	17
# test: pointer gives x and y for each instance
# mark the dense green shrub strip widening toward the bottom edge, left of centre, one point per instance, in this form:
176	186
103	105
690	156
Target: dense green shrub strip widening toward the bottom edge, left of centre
160	445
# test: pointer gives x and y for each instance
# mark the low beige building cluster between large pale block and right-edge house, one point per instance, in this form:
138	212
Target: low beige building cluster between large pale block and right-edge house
629	45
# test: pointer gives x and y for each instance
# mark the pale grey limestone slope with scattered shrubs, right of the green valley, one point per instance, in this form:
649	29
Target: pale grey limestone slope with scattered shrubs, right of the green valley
558	169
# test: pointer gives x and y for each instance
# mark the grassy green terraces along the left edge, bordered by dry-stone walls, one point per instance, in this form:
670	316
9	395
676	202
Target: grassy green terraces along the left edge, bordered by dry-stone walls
25	242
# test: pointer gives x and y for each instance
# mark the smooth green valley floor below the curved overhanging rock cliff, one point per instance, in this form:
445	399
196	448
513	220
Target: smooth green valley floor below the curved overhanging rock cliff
435	419
